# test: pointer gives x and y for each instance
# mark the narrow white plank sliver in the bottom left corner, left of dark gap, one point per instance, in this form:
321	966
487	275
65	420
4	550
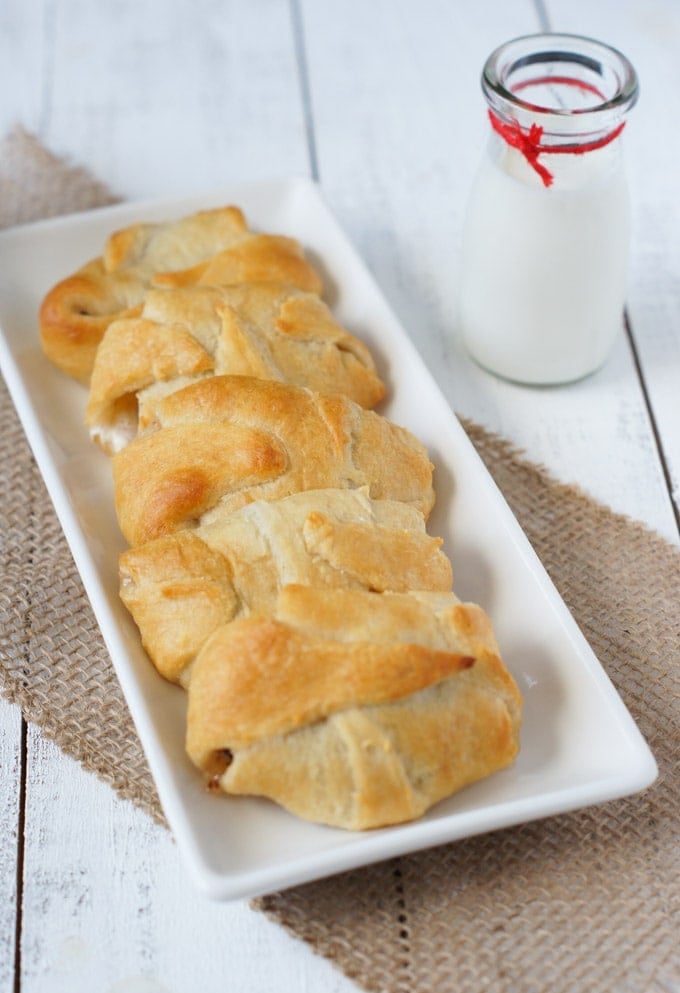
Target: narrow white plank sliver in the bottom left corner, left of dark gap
10	820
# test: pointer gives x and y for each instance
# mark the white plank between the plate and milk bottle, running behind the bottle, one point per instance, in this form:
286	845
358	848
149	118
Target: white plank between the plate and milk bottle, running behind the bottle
398	142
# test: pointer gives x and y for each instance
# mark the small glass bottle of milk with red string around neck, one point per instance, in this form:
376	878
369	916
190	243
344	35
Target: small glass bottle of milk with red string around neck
546	238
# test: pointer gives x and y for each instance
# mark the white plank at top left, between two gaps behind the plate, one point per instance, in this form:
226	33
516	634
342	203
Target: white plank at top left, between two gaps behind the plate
156	105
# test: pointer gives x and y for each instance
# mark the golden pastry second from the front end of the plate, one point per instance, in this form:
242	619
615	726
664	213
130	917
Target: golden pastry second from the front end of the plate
181	587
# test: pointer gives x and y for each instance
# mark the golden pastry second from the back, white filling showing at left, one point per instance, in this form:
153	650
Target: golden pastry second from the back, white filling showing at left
269	330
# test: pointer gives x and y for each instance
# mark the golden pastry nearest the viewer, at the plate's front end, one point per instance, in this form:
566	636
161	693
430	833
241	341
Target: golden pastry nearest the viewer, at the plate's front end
353	709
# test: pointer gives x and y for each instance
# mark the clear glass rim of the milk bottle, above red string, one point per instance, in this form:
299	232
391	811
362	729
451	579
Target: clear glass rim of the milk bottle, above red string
578	50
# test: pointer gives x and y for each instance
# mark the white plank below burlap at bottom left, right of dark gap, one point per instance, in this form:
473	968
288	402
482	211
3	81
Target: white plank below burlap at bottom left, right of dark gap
108	906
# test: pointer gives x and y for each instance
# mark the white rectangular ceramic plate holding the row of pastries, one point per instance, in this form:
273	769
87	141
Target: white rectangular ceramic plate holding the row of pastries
579	744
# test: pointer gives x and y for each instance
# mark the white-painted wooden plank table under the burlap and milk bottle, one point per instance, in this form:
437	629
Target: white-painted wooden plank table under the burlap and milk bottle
379	100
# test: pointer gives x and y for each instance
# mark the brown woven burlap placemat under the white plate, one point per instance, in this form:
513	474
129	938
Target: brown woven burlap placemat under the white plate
583	903
